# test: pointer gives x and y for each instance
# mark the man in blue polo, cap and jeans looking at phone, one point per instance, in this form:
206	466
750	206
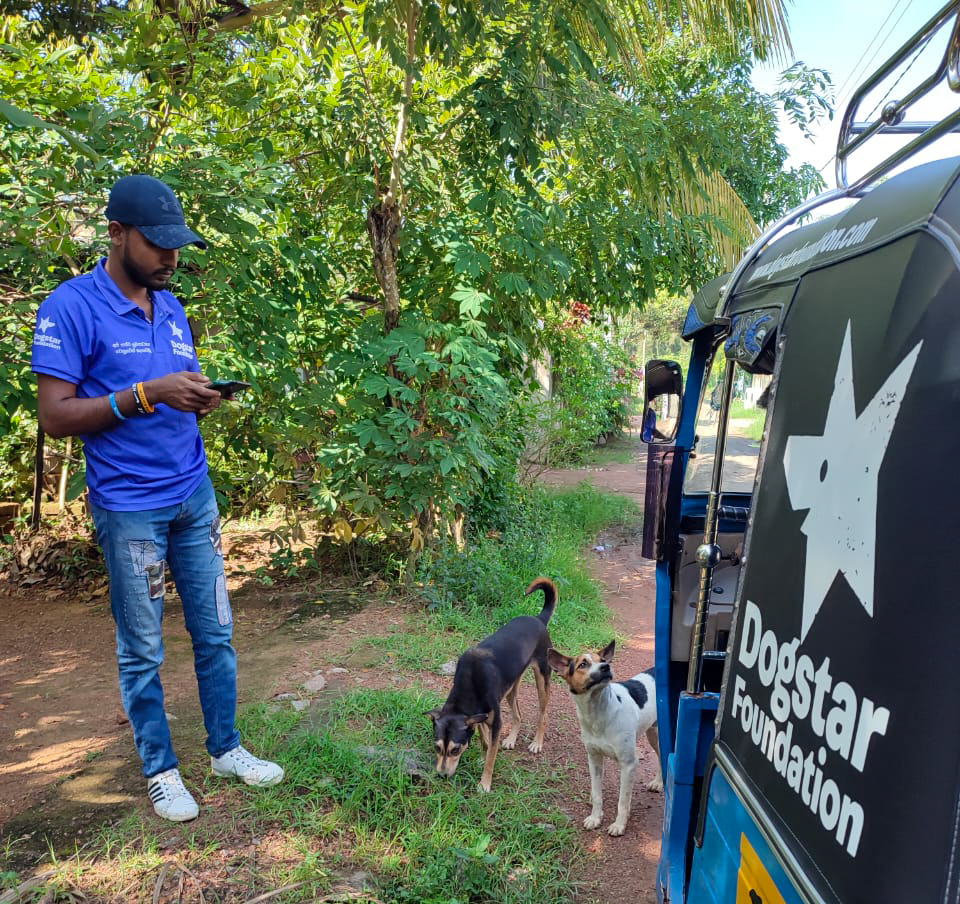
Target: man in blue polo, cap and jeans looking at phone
115	365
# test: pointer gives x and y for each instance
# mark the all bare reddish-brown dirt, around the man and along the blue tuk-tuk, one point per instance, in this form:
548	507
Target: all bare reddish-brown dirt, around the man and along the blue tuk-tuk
67	762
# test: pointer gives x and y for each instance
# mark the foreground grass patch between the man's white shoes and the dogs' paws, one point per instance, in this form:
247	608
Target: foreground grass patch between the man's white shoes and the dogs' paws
360	799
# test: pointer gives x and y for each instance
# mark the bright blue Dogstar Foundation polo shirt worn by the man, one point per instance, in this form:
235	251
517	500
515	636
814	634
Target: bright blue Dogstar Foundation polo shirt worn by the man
90	334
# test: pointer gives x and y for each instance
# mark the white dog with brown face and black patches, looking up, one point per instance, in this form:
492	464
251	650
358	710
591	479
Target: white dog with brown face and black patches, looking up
611	715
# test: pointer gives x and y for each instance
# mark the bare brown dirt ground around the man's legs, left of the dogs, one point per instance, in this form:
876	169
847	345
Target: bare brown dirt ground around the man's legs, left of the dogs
67	760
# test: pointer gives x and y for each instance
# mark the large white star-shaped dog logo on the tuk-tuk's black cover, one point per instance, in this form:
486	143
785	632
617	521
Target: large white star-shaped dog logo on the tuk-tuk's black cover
835	476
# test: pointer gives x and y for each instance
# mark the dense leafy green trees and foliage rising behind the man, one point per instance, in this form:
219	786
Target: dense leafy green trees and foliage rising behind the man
397	193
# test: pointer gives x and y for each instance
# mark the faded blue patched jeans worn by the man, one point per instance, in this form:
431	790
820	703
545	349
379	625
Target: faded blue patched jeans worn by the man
138	546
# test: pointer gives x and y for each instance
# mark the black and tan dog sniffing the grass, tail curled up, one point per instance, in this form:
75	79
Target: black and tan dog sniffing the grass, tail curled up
485	675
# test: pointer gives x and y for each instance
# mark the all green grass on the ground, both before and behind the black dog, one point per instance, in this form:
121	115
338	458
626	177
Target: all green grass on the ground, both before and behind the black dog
361	811
